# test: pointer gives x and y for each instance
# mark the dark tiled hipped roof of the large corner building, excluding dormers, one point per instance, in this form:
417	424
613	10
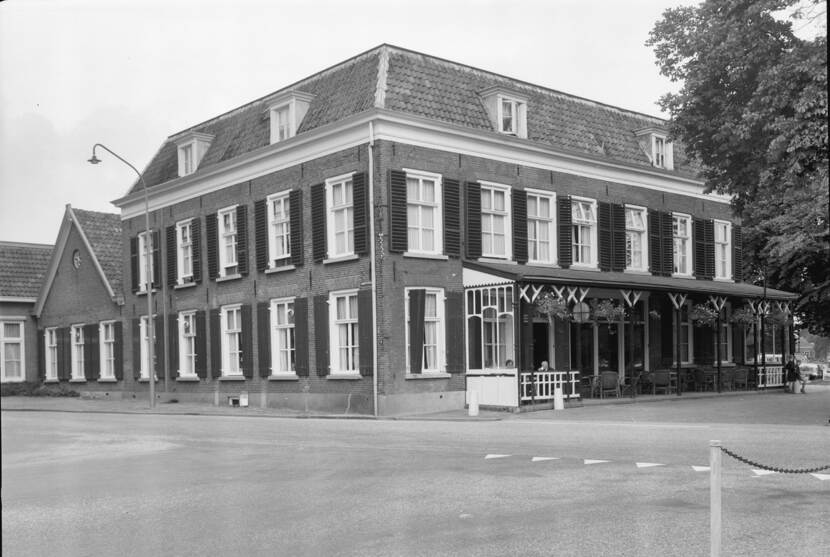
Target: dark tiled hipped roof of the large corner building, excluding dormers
432	88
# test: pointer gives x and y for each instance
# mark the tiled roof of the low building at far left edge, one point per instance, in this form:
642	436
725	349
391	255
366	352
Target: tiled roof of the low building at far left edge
22	267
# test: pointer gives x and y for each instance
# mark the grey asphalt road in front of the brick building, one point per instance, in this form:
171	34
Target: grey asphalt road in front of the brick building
124	485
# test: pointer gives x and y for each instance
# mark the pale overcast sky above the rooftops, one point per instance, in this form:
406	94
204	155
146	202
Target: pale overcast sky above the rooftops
130	73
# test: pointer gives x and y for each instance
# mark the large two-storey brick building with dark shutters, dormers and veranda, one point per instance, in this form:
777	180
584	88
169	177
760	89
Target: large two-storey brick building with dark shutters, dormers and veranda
380	236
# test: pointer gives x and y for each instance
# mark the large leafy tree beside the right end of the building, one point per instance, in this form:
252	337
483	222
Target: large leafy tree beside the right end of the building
752	110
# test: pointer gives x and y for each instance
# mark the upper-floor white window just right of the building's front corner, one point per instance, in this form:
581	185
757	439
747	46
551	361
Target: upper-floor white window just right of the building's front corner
423	212
